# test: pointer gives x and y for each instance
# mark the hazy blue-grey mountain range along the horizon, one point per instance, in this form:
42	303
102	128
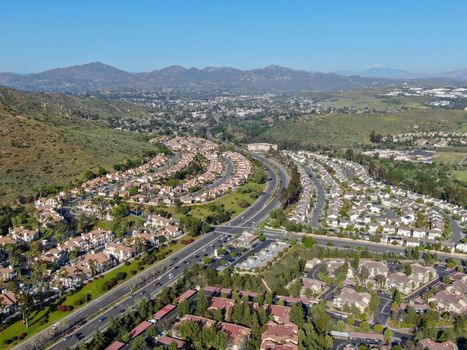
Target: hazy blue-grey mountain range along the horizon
98	76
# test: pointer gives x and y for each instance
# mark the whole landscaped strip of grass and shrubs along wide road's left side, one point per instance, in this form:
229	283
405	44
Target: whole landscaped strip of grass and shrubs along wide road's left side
40	320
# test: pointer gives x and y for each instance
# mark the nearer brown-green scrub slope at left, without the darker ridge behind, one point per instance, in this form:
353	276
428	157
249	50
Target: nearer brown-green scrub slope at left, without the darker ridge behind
36	153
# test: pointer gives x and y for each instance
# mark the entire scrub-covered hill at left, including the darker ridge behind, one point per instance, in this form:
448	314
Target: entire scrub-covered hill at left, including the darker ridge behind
50	139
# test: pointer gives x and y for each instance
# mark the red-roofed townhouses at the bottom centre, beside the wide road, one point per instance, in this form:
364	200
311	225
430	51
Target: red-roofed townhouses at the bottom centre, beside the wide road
279	332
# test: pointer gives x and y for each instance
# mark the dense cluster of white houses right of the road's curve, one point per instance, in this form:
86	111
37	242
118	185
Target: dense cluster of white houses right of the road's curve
356	203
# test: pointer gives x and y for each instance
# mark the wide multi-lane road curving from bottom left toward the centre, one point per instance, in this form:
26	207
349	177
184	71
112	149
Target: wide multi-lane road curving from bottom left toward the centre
81	325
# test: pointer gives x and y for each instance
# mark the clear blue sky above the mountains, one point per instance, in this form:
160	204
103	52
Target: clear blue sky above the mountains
417	35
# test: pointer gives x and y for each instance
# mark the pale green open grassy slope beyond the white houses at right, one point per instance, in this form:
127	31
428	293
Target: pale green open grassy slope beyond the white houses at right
348	129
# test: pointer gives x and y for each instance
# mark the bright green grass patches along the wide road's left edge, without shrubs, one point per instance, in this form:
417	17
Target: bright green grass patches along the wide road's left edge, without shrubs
49	315
